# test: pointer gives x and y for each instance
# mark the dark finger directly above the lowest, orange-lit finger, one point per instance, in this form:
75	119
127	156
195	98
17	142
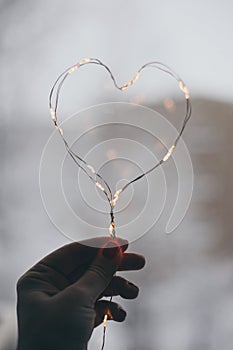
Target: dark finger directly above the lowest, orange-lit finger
121	286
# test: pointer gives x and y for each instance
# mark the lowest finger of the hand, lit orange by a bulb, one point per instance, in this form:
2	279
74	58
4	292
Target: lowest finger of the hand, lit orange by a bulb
113	310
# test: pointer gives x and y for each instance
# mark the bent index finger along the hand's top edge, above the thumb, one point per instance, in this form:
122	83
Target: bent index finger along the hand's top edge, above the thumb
52	274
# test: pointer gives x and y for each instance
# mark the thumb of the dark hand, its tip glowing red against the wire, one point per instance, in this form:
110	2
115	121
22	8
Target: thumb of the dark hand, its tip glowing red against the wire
100	272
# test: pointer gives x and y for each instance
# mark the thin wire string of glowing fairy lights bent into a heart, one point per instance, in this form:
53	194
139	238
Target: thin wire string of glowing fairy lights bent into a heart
102	184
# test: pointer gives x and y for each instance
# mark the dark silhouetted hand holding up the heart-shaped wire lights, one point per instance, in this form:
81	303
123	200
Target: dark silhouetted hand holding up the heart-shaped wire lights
59	298
